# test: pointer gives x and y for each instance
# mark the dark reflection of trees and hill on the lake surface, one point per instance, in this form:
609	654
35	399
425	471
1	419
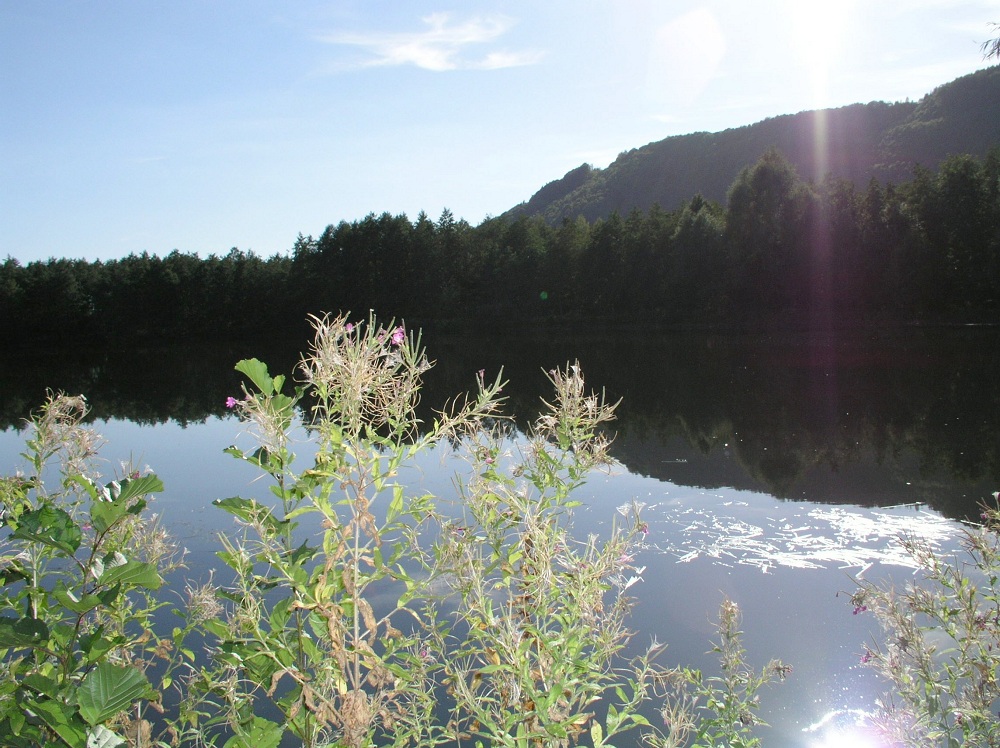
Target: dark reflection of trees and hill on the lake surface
874	419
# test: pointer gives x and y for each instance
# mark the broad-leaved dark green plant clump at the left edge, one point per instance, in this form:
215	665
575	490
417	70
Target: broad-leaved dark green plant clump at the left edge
79	569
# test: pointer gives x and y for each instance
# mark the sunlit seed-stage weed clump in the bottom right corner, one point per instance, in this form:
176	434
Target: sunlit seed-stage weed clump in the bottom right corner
941	649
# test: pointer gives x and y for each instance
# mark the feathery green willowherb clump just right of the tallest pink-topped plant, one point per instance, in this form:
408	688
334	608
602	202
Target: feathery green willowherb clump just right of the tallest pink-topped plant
541	614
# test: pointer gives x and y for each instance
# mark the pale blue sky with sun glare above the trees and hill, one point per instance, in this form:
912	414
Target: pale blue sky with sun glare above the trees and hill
132	125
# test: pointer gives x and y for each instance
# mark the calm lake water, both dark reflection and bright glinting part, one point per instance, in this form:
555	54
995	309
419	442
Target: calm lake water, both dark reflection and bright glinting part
774	469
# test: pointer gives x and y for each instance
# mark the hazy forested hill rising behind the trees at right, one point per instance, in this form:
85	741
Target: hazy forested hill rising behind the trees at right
878	140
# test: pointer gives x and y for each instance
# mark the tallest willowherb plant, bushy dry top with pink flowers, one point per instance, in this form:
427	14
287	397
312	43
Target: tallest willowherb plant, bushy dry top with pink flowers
302	633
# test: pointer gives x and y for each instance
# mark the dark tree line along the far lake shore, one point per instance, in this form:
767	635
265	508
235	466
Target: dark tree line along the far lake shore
780	251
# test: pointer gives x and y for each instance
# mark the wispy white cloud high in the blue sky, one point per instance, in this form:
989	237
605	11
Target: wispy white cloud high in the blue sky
440	46
